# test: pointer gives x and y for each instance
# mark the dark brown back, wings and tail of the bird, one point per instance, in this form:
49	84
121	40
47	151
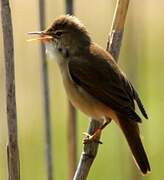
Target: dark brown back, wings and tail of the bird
114	91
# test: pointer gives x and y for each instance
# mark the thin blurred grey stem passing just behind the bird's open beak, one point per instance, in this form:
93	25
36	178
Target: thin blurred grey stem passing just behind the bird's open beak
46	104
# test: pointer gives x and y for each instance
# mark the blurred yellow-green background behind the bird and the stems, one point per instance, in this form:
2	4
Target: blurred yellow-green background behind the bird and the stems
142	58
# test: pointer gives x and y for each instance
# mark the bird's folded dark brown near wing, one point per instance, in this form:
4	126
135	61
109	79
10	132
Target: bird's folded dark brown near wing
105	82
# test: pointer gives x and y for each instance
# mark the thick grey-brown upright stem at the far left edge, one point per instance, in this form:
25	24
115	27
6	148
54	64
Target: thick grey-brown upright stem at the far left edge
12	147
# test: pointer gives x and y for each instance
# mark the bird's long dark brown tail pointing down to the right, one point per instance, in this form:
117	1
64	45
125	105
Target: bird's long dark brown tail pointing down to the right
131	132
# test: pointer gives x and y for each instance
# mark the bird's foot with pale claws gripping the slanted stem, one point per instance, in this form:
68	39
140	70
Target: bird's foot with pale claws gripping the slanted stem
92	138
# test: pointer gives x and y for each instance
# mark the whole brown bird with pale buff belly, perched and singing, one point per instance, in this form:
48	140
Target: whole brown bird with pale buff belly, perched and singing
94	83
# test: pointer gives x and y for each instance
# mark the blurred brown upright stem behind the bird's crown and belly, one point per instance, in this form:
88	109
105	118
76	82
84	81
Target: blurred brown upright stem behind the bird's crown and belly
72	134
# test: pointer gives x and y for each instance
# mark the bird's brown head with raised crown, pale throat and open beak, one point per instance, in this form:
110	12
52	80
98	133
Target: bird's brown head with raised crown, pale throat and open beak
66	33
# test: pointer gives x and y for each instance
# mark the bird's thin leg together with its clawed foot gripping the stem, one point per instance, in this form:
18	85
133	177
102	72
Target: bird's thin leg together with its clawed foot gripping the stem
95	137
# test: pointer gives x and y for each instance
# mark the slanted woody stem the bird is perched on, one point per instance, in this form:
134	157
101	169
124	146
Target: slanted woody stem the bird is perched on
113	46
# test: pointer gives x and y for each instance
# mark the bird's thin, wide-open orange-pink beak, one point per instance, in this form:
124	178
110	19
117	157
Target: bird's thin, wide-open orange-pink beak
42	36
